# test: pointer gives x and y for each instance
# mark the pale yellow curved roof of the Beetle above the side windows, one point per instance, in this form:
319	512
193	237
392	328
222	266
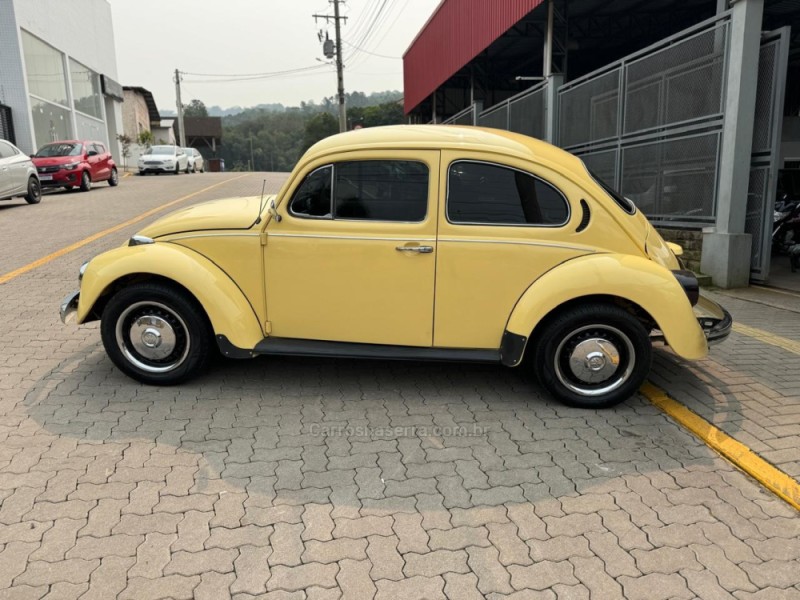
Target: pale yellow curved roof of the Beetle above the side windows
436	137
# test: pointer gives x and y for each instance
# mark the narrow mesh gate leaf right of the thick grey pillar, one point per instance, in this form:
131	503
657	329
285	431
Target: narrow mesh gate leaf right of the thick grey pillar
764	164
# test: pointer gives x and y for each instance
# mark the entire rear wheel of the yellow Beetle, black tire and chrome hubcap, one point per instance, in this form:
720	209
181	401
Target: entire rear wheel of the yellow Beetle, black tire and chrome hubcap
593	356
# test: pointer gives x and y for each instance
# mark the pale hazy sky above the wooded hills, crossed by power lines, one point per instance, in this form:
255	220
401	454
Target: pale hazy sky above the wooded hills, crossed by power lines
244	37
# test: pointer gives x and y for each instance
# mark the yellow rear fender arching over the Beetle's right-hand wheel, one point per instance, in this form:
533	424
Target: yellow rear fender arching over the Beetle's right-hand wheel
636	279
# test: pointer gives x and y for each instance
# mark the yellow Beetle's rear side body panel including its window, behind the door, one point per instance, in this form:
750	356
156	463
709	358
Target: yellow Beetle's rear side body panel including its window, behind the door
503	224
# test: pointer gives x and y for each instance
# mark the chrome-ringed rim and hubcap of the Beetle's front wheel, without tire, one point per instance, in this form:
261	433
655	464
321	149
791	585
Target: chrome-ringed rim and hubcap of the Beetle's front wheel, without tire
152	337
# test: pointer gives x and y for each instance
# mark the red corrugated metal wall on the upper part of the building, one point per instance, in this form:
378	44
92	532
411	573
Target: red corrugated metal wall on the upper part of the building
457	32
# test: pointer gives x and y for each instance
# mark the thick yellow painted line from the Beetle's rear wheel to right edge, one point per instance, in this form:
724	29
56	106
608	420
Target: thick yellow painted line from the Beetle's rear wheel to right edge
740	455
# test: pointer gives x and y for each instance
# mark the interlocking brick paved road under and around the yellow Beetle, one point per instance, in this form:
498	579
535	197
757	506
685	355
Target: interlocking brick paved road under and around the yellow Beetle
300	478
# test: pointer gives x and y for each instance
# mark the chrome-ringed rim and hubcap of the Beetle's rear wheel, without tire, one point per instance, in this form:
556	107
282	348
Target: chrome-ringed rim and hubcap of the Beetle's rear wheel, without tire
594	360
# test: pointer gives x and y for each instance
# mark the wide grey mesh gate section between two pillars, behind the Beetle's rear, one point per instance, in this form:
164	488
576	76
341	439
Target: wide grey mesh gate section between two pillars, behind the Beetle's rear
651	123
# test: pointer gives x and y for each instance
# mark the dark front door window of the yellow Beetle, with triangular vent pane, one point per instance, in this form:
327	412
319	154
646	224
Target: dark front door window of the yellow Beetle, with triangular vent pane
376	190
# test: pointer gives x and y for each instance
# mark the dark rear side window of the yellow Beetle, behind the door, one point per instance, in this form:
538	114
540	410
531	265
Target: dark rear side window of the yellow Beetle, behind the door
483	193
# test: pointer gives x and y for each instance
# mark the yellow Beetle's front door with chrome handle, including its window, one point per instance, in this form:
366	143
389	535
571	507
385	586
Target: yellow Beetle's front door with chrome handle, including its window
352	258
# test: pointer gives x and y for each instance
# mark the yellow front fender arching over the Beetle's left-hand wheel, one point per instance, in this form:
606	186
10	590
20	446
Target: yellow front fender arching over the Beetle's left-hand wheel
227	308
